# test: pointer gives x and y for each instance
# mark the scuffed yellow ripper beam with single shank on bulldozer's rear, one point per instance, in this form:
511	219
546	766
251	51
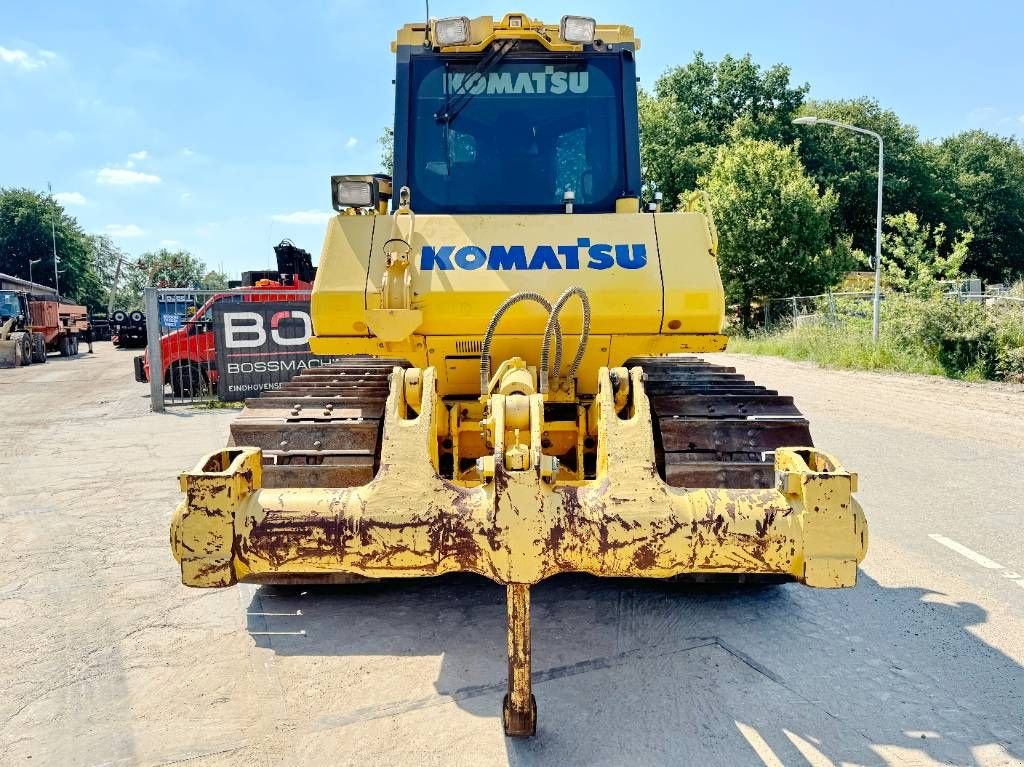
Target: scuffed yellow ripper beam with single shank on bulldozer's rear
521	527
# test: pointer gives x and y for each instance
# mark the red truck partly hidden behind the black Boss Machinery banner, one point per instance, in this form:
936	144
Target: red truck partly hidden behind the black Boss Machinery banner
190	356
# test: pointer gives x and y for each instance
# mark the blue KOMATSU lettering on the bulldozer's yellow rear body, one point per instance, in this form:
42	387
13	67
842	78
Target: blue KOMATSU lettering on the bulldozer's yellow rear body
582	255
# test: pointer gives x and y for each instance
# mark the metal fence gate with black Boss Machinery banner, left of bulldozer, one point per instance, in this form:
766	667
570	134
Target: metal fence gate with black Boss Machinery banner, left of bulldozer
266	332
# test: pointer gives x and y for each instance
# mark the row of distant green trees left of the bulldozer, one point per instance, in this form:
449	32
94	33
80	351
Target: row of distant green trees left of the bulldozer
88	262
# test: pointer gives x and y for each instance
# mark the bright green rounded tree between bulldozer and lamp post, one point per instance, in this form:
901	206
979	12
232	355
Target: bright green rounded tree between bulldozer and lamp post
775	227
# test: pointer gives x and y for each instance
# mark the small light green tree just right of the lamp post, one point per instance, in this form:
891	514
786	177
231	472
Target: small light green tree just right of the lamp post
917	255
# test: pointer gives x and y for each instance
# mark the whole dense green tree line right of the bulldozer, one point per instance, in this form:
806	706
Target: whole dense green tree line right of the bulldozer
796	205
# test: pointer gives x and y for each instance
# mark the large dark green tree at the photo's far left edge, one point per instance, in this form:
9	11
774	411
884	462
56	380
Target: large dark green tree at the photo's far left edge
26	218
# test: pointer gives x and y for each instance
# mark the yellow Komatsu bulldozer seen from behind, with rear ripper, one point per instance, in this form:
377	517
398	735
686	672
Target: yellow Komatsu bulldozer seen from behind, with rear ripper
516	392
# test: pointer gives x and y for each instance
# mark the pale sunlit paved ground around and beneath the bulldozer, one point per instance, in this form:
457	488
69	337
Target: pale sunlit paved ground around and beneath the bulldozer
107	660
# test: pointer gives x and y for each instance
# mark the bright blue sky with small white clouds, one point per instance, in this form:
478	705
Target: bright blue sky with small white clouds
216	126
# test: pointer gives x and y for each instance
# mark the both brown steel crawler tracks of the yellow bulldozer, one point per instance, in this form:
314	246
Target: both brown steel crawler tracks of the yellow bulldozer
713	429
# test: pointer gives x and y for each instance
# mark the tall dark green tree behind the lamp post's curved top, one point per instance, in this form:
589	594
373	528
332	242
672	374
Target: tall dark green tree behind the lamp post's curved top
848	163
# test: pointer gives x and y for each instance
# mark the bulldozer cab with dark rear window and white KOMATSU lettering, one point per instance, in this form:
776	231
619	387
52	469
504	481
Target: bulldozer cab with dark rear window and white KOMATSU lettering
516	124
